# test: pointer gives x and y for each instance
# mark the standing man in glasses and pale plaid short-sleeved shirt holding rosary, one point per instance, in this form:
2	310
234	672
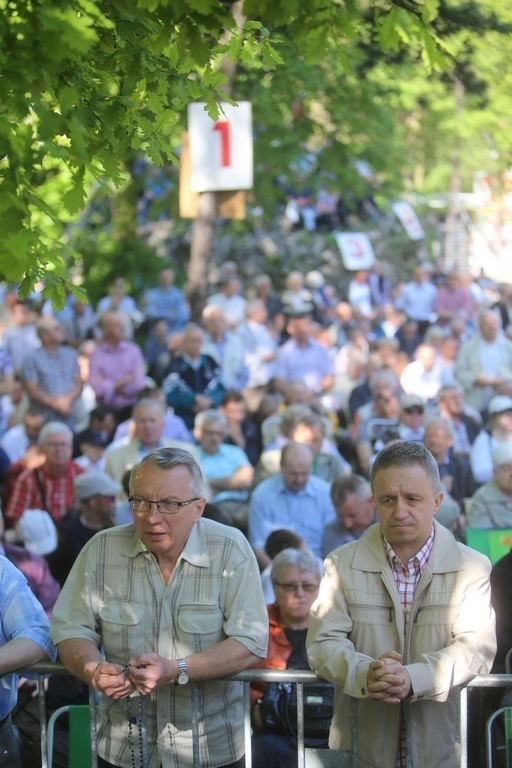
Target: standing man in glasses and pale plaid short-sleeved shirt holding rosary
174	602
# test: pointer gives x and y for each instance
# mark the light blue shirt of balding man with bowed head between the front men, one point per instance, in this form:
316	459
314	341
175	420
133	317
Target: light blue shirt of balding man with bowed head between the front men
307	512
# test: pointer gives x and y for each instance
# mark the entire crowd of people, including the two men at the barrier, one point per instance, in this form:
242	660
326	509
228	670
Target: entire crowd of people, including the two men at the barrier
271	417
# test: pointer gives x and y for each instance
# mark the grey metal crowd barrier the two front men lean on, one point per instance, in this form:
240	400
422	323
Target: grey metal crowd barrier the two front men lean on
297	677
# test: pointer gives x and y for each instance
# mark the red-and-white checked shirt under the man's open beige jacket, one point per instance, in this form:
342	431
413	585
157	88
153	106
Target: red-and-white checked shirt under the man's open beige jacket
406	579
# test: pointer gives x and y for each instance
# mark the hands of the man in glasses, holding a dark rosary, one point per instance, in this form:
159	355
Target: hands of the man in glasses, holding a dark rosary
143	674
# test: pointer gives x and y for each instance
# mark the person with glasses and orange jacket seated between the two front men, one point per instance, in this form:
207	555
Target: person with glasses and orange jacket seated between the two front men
295	577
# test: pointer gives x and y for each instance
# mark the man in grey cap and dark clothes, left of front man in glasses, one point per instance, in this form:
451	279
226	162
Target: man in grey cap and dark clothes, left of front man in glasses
95	496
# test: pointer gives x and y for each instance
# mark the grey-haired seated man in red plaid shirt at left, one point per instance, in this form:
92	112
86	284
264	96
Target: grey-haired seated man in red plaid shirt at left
49	486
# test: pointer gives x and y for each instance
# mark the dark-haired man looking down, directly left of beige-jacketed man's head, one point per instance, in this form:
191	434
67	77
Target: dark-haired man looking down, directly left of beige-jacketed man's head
355	512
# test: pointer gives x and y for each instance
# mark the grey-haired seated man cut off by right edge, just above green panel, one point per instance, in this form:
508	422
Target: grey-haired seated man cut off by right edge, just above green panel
491	506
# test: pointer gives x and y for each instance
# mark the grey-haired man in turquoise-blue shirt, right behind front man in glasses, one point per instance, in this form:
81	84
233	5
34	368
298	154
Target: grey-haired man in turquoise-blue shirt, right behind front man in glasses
226	467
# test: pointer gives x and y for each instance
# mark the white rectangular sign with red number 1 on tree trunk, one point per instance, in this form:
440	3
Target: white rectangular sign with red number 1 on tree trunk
220	150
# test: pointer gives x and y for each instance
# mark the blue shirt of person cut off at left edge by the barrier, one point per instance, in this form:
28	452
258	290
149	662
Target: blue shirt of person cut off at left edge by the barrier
21	616
